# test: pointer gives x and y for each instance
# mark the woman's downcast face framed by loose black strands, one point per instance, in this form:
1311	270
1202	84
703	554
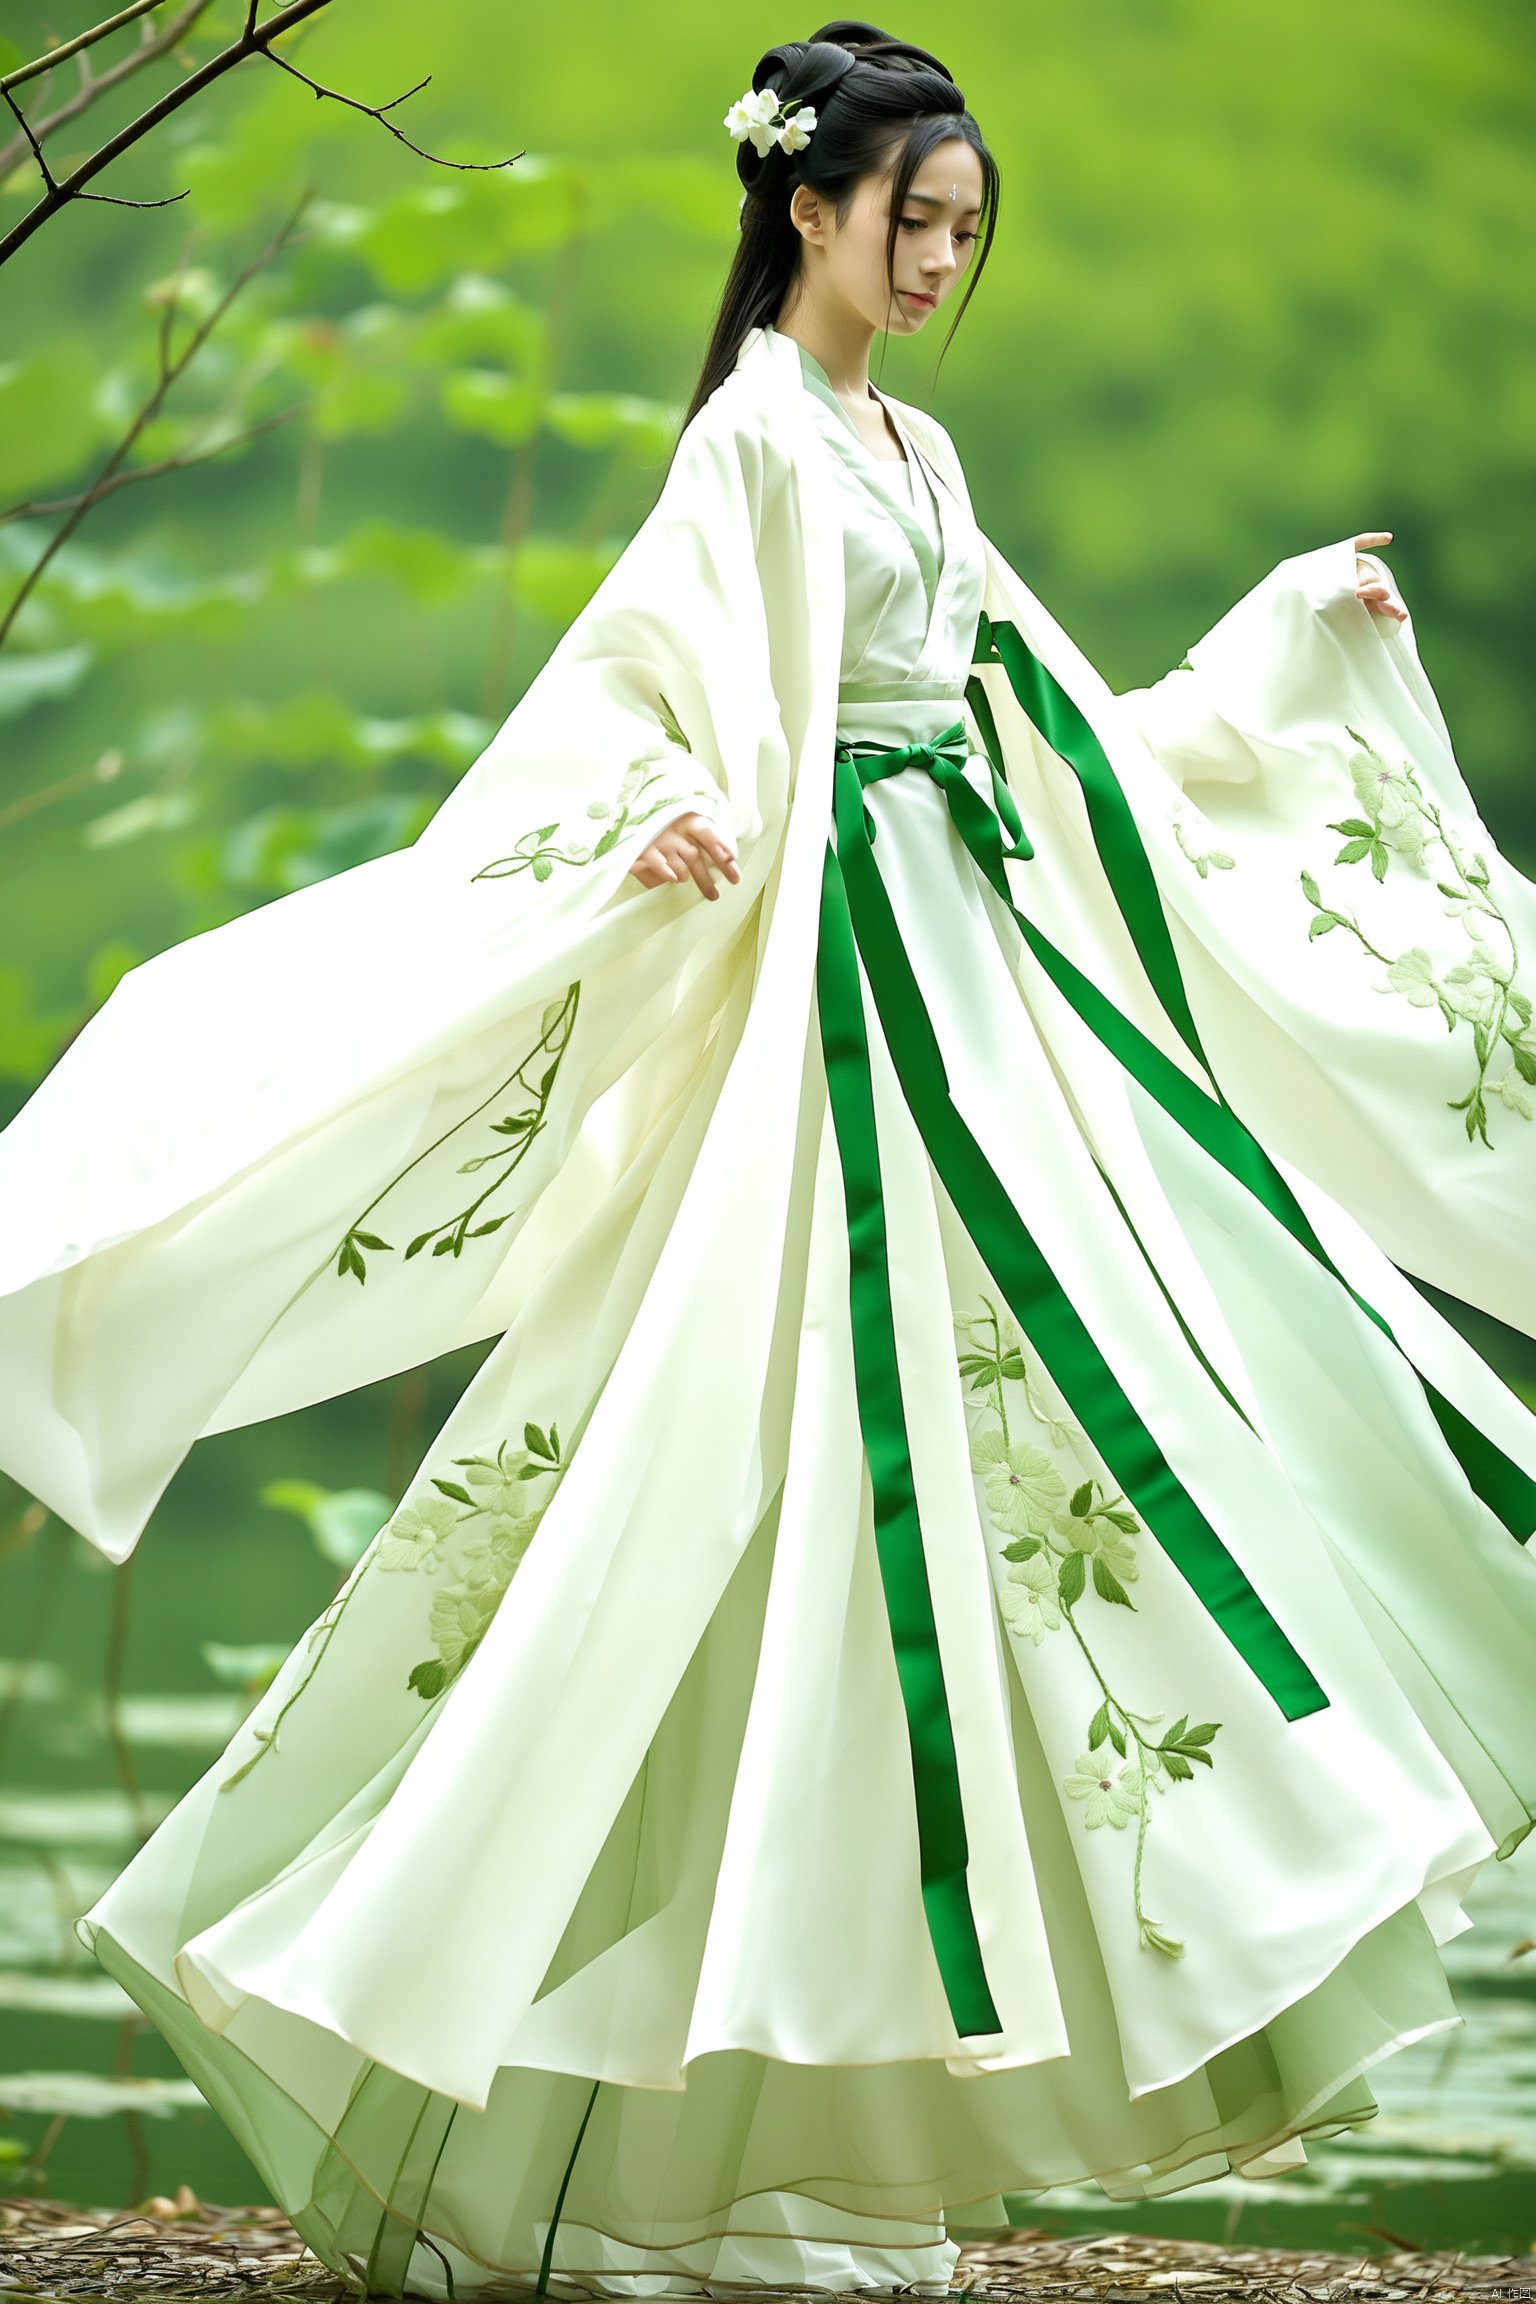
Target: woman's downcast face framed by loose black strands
934	241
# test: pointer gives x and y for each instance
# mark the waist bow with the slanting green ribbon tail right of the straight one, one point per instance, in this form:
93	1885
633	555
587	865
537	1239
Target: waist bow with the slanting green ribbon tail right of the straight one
1005	1241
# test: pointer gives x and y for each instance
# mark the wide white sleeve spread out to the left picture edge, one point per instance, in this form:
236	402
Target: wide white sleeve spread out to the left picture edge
294	1155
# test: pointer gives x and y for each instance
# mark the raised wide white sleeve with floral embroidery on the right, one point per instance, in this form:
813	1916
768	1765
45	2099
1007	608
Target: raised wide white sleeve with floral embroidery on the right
1360	955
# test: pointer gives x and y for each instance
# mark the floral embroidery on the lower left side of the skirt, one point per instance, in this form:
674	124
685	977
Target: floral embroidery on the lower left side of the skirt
478	1529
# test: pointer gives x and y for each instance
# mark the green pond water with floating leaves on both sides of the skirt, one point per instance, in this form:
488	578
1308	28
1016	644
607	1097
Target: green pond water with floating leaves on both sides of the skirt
93	2105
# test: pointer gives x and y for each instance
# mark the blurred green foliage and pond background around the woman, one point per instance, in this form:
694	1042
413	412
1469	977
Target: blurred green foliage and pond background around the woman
1261	280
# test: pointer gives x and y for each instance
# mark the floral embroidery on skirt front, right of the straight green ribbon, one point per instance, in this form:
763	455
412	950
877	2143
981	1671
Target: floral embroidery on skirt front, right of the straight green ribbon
1063	1536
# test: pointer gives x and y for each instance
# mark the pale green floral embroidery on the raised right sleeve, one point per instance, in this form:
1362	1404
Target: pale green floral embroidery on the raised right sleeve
1477	992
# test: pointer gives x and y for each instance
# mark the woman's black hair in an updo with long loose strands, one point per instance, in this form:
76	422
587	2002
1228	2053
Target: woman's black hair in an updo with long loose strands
881	105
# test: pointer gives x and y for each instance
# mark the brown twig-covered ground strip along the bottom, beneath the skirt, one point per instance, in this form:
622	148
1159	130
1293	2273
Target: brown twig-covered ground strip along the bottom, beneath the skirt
185	2248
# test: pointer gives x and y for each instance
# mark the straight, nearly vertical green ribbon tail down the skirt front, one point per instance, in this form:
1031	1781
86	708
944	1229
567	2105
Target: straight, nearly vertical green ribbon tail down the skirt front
899	1538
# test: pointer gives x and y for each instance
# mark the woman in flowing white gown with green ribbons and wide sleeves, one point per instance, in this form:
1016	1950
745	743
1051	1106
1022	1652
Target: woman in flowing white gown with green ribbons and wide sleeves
973	1630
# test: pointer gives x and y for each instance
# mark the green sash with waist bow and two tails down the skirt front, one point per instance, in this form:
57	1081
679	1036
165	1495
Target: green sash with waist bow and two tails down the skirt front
858	925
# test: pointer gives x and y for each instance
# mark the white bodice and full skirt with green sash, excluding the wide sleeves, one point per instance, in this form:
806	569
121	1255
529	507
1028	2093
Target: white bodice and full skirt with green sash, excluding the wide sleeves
565	1909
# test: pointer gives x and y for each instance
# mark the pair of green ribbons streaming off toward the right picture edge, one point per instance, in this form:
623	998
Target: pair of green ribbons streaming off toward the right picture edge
1206	1116
